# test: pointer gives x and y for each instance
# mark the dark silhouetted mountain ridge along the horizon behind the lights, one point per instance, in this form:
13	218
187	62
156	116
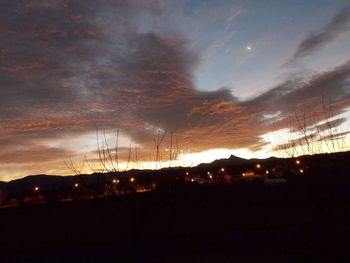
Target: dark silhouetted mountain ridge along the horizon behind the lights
233	164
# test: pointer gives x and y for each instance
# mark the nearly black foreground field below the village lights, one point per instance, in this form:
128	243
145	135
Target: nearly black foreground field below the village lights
302	221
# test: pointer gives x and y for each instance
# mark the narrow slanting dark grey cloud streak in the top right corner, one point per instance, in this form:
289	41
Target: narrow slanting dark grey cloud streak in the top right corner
337	26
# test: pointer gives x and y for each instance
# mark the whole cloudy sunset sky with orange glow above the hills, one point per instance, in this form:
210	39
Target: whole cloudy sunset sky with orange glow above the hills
201	79
